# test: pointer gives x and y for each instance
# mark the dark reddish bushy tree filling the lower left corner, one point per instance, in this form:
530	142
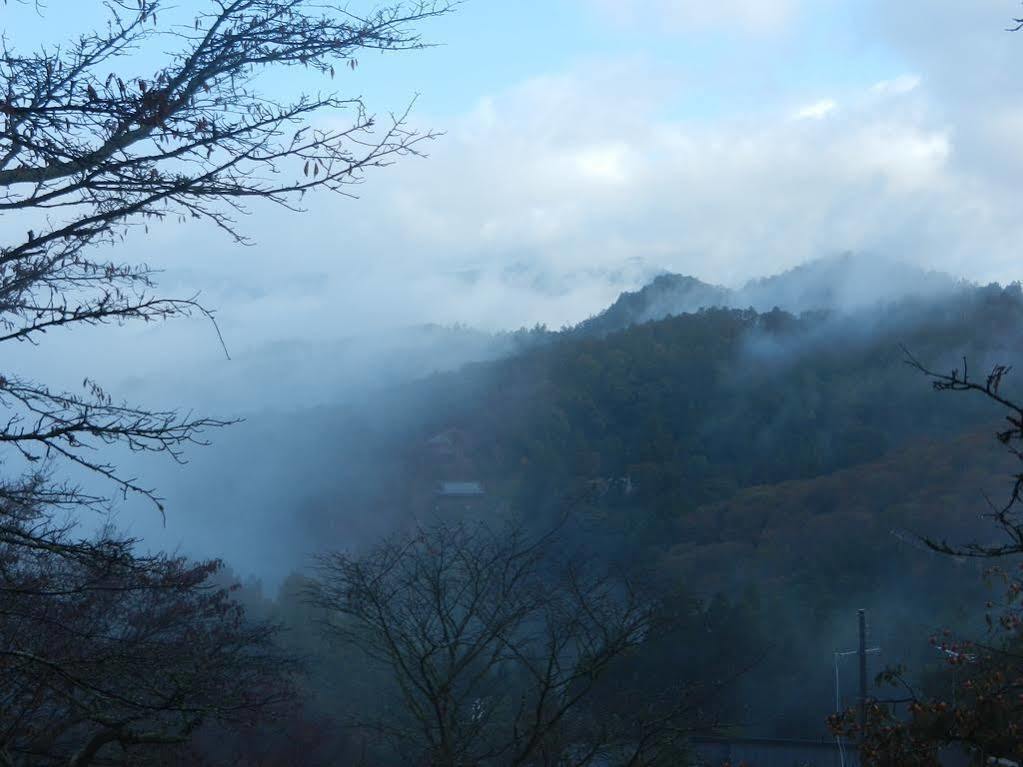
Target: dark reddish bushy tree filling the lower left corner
108	654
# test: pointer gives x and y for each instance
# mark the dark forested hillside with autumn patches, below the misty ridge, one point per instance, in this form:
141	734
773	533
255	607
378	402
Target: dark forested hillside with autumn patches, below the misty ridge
769	473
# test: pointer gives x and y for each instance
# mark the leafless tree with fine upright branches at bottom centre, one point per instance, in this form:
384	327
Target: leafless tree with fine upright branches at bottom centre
496	647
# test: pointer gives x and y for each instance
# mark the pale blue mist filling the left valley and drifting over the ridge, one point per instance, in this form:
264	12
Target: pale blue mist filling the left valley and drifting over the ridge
326	426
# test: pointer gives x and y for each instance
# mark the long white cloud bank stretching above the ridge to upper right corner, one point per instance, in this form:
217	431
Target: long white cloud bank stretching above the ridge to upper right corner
546	200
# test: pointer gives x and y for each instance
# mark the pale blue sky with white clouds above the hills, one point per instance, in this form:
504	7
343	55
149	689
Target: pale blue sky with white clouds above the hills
589	146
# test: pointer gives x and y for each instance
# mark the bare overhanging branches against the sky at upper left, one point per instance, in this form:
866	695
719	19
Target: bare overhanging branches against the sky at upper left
92	149
